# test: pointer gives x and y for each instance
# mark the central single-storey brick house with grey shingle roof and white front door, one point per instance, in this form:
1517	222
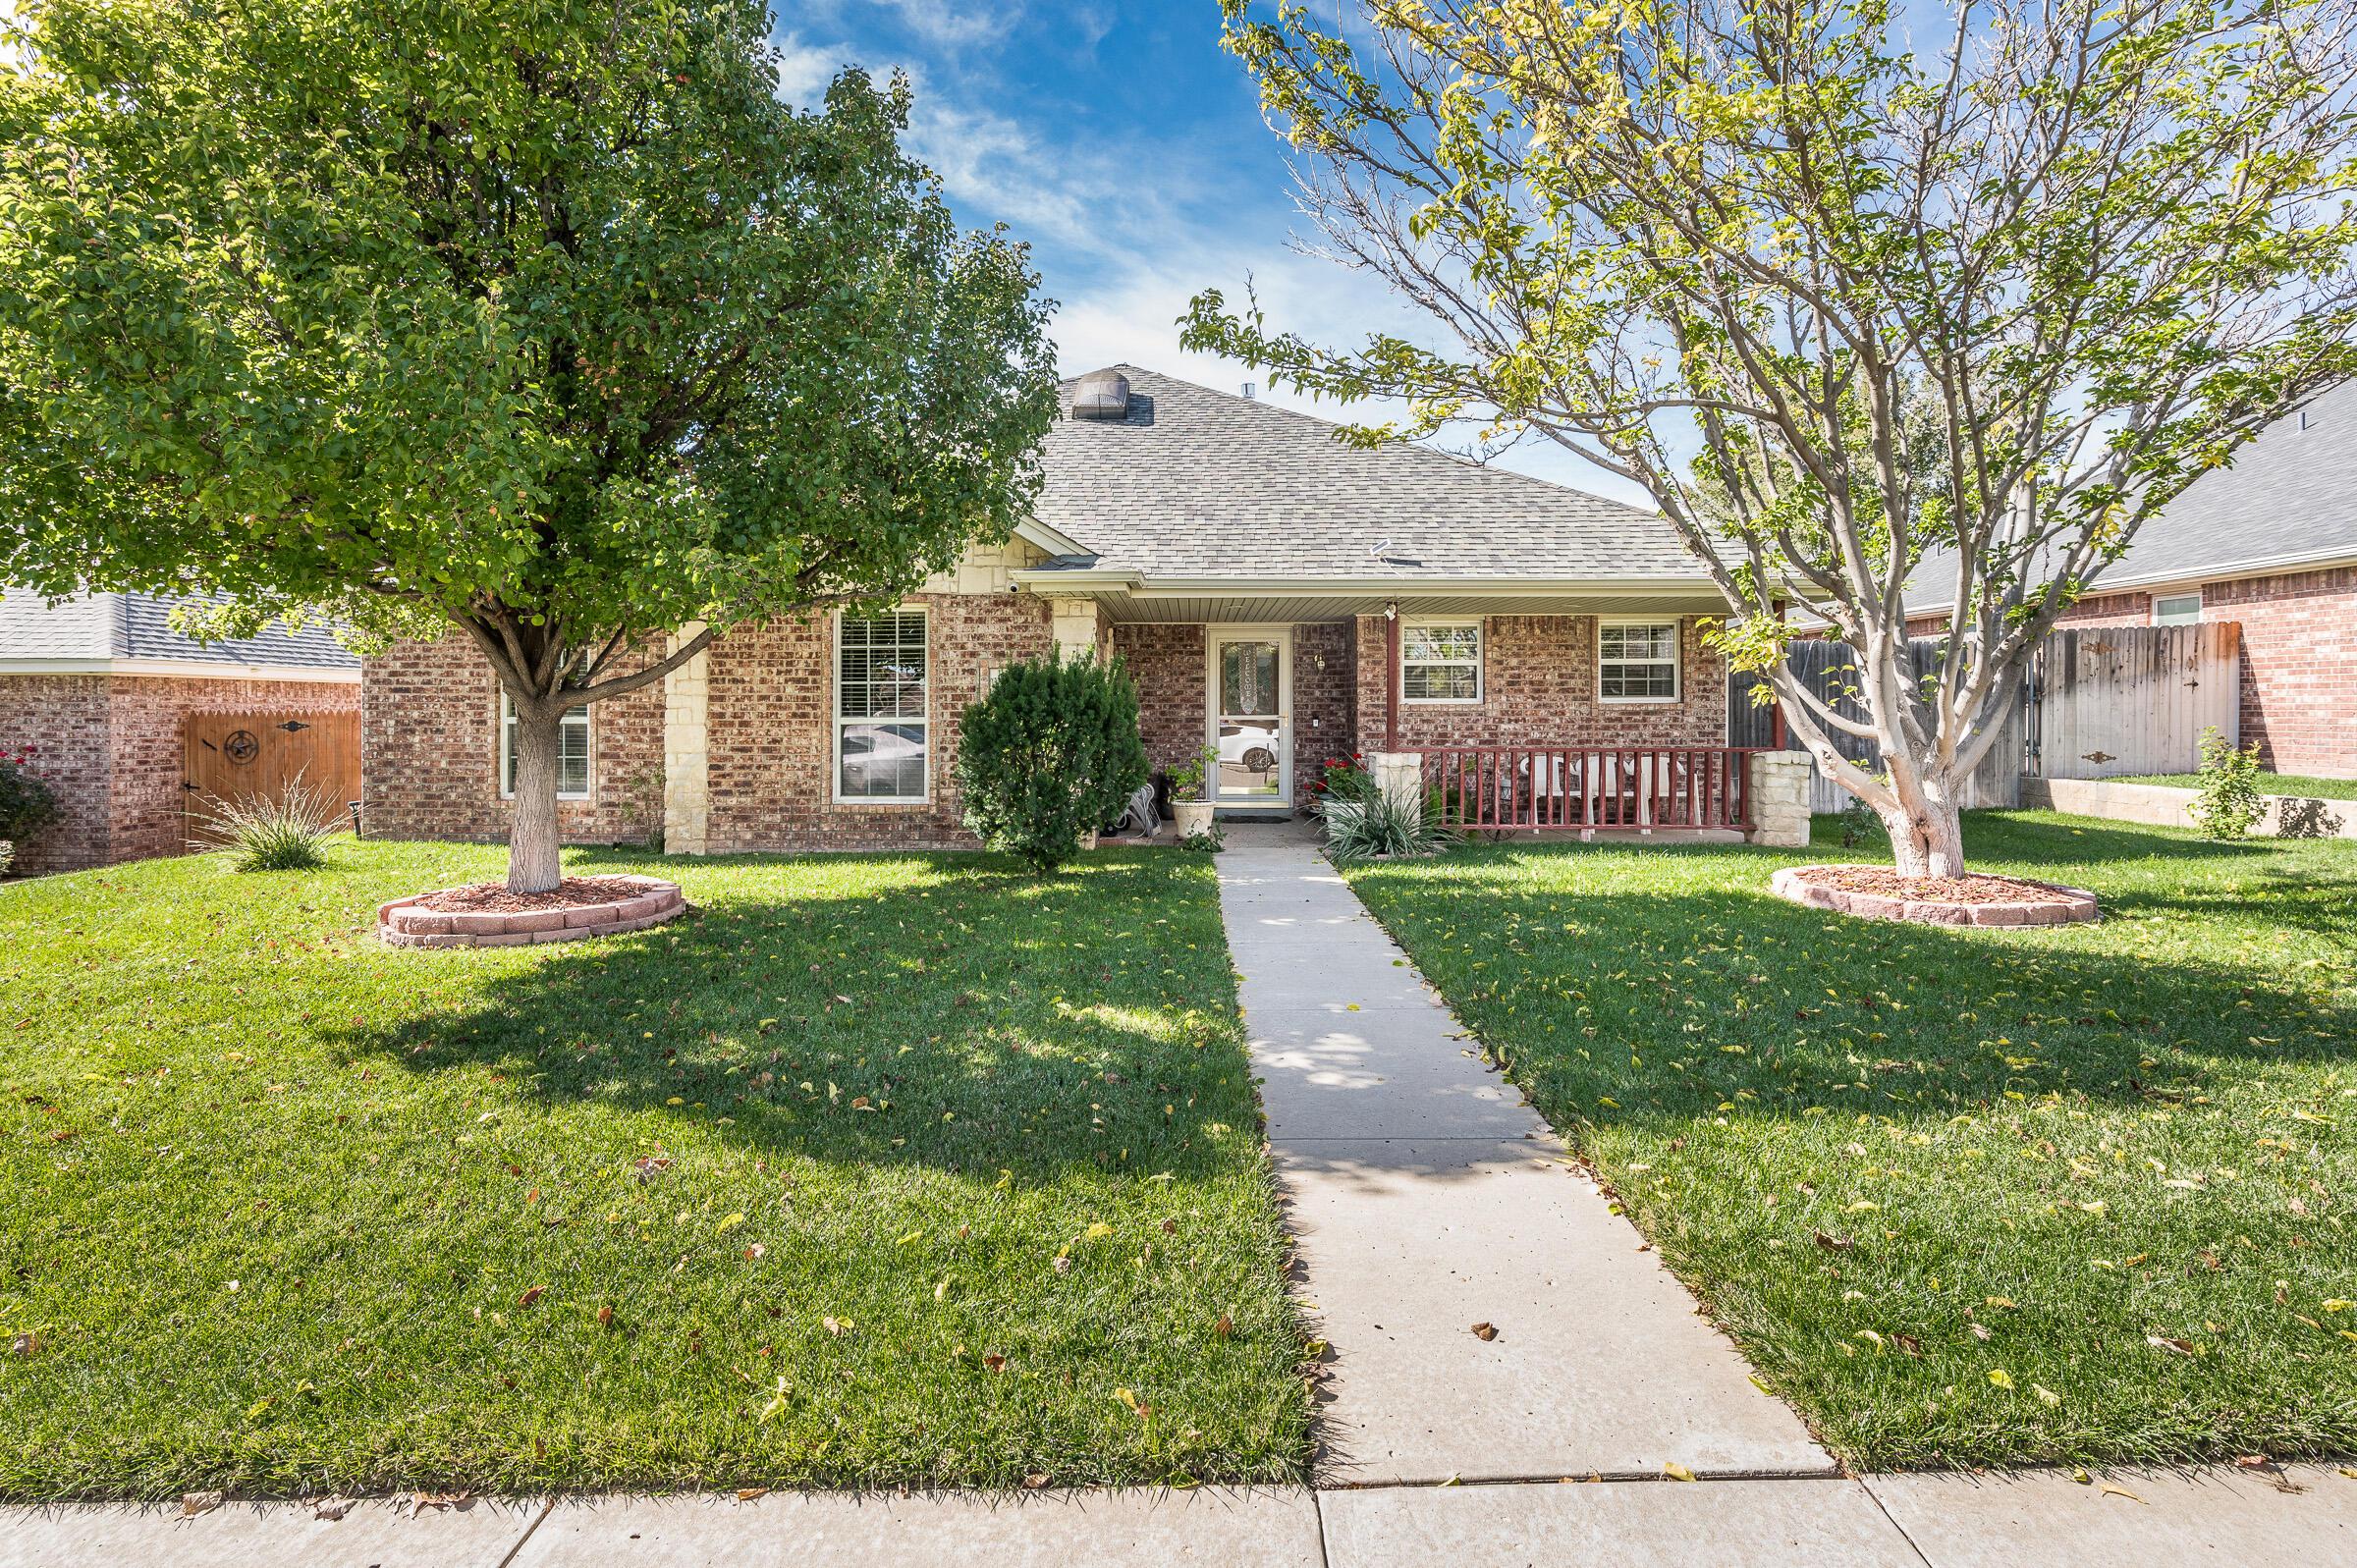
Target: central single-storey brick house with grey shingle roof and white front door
1279	595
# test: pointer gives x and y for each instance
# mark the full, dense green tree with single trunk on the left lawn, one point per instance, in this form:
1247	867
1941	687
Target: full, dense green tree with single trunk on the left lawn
543	319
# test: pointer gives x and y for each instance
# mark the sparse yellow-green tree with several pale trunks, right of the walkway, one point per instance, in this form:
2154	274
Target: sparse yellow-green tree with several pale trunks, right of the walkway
1941	322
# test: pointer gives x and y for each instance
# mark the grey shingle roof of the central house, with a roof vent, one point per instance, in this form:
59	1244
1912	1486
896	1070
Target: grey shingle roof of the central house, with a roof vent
1210	485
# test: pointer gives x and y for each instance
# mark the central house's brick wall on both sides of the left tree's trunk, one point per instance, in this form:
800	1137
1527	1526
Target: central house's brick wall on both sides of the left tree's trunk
430	753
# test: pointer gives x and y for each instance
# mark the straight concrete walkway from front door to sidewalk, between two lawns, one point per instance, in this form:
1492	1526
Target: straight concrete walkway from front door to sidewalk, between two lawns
1430	1199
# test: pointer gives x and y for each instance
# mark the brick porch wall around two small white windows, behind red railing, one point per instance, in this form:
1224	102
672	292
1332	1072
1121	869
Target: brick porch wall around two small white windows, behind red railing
1540	690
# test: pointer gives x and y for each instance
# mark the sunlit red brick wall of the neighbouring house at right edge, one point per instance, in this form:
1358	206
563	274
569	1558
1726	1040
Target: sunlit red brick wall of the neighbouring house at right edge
2299	666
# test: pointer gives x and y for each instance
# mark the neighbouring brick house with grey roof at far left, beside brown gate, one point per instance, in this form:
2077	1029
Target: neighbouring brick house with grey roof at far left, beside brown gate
114	701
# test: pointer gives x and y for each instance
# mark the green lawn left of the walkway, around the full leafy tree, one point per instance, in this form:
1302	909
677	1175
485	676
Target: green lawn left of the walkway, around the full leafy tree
755	1199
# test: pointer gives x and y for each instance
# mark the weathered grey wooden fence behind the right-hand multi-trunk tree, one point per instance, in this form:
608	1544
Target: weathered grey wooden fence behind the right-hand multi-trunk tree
2097	701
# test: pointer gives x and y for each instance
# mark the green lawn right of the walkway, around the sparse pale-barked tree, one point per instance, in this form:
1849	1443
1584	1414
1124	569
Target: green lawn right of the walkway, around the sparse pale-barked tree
1962	1197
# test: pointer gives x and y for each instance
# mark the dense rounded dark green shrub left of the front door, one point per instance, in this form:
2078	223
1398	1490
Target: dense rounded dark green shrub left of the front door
1048	756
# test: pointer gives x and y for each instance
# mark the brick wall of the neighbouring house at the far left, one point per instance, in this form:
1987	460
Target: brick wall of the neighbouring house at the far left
112	751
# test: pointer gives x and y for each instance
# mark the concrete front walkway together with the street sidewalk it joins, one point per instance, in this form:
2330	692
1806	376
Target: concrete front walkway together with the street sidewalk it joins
1427	1201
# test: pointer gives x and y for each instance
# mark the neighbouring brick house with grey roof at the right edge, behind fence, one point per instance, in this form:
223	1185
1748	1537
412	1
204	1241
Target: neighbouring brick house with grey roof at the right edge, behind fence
2269	543
